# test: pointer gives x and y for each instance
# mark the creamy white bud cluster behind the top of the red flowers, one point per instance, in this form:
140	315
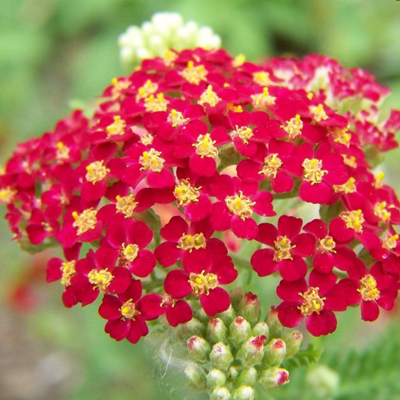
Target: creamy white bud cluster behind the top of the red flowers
165	30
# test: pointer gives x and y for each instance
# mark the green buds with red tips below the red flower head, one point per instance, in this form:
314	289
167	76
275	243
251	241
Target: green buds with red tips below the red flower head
237	351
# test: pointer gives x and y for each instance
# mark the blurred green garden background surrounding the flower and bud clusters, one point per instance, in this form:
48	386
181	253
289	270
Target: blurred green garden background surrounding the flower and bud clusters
58	53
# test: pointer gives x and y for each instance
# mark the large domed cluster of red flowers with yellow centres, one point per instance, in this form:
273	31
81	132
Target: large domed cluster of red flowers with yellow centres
210	143
